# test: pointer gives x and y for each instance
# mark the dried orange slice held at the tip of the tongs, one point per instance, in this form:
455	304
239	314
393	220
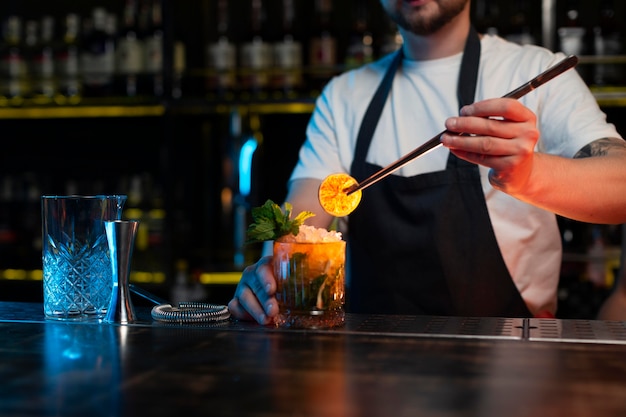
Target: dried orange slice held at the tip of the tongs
333	197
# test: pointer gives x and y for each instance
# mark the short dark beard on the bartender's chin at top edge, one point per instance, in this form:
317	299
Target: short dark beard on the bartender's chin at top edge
427	25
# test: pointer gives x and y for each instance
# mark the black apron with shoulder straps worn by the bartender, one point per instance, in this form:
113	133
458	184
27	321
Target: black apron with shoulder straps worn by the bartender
425	244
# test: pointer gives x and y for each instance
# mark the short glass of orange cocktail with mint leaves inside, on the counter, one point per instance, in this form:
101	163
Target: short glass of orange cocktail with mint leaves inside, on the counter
310	282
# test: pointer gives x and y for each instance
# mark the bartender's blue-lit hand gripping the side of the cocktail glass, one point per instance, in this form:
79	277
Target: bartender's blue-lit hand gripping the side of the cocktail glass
255	295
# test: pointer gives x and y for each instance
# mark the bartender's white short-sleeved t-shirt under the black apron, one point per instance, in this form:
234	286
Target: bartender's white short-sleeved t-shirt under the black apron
423	95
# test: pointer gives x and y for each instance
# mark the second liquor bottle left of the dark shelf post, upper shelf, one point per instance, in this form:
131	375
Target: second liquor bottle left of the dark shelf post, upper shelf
130	52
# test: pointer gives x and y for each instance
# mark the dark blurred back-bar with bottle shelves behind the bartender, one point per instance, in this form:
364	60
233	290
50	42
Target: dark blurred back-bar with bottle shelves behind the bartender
173	142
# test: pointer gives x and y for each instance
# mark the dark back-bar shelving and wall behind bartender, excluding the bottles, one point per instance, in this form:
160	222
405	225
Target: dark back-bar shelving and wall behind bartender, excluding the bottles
175	153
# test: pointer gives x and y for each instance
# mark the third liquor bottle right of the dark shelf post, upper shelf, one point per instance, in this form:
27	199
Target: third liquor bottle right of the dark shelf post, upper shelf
287	78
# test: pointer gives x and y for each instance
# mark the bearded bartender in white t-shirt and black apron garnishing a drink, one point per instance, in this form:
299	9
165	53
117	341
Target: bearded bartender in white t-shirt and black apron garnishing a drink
470	228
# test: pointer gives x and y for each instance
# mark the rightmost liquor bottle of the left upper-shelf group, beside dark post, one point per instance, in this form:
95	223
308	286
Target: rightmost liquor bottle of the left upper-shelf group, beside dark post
153	44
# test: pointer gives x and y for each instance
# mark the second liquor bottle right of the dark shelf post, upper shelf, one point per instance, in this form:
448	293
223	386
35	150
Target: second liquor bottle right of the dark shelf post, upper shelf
256	55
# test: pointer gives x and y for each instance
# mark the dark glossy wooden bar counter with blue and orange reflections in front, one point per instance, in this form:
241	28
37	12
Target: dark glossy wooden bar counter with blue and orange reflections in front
374	366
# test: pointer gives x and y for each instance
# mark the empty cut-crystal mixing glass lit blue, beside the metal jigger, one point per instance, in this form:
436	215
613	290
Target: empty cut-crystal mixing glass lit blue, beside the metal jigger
77	274
